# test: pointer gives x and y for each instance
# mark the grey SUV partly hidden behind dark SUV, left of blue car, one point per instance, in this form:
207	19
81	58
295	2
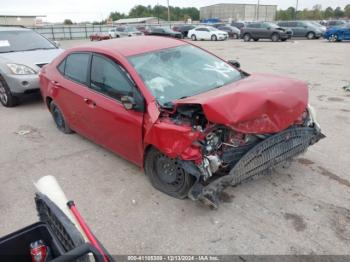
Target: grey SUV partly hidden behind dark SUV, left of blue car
302	29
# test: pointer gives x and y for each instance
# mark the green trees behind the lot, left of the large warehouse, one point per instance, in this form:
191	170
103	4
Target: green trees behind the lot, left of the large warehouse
176	13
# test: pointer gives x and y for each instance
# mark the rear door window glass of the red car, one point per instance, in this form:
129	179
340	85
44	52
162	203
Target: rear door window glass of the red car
76	67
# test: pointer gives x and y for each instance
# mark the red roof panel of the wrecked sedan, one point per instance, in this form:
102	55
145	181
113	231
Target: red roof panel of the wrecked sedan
129	46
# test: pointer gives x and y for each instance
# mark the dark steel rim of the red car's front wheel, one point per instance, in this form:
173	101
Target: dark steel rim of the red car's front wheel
170	173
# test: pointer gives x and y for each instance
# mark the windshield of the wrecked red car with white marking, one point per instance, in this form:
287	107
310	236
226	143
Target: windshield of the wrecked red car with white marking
181	72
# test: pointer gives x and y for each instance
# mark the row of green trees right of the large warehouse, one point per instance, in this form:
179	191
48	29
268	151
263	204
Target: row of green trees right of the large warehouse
316	13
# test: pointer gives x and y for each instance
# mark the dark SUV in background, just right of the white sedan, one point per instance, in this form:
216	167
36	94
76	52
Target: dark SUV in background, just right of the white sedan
265	30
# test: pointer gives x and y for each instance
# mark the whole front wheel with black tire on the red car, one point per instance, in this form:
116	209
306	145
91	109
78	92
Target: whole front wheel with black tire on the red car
166	175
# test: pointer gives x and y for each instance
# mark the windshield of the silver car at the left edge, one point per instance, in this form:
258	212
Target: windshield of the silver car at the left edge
18	40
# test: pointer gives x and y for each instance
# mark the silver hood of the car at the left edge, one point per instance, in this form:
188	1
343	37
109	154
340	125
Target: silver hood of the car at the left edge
31	58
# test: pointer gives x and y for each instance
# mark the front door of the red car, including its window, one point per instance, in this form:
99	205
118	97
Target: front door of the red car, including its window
114	127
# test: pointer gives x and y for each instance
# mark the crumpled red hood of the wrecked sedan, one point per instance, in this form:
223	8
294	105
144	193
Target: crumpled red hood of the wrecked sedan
259	104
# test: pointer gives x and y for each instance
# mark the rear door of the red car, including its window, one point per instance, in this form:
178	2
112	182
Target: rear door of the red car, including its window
70	88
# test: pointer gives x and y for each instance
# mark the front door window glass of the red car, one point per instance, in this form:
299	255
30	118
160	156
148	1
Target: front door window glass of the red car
108	78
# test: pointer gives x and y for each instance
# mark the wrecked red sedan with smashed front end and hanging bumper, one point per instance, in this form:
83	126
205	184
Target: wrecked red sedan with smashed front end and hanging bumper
193	121
